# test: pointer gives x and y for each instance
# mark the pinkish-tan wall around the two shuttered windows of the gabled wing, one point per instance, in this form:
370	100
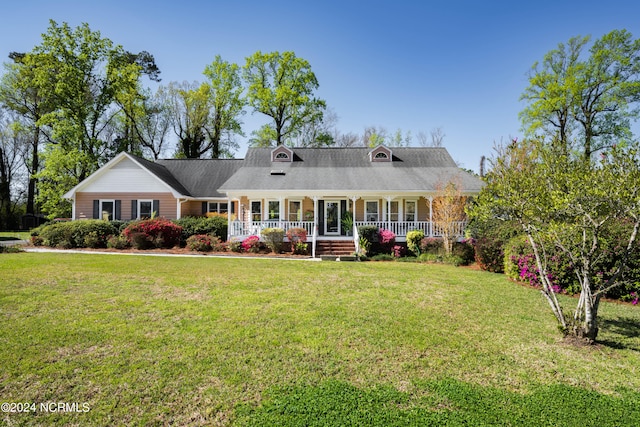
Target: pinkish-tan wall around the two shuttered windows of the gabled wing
84	203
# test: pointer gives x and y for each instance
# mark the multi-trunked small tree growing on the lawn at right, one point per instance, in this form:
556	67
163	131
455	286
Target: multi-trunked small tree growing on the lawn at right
563	203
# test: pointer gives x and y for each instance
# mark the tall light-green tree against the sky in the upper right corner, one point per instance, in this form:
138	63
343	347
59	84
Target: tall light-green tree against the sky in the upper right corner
585	101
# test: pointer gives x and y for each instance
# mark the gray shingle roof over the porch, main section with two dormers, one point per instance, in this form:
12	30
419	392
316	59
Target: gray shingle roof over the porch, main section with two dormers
349	169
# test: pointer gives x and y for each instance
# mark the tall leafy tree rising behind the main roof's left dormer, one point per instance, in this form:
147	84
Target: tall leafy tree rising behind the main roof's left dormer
282	86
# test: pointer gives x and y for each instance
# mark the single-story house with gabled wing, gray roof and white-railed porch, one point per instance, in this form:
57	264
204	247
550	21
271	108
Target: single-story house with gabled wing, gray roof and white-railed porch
318	189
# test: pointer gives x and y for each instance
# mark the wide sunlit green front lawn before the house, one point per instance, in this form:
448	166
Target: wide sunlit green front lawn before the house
252	342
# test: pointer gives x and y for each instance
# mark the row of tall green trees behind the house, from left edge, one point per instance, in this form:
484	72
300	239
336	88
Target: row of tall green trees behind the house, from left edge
77	99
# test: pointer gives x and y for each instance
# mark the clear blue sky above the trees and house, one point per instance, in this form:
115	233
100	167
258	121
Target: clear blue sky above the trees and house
408	65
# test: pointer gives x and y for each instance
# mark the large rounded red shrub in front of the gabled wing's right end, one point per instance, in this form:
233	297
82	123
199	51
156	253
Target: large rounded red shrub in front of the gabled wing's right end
156	232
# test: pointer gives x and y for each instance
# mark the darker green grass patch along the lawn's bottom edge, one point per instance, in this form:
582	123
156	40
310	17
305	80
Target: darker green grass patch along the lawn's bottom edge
448	402
